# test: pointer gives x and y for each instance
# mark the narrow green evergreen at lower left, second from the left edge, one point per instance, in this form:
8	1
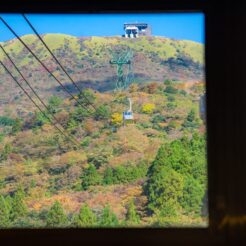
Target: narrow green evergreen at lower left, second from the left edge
18	208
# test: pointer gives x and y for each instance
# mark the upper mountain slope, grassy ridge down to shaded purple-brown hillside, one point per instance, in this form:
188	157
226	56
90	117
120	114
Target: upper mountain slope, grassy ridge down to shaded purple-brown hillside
87	61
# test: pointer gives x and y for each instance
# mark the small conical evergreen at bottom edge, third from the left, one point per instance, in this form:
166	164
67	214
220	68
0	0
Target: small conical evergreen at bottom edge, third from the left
56	216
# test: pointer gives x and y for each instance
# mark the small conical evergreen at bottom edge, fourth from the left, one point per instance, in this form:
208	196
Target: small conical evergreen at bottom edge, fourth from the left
85	218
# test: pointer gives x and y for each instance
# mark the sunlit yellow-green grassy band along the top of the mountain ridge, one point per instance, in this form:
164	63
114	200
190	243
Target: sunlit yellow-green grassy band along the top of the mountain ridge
165	47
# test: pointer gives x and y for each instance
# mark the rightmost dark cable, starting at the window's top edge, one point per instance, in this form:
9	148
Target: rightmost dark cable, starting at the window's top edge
57	61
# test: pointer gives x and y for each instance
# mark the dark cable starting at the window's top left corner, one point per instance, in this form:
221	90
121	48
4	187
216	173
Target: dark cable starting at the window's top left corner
45	67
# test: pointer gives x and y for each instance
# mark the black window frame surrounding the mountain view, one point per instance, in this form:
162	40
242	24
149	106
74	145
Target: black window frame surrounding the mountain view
225	39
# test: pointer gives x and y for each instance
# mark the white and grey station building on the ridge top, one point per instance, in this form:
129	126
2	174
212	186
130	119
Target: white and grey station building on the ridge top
134	30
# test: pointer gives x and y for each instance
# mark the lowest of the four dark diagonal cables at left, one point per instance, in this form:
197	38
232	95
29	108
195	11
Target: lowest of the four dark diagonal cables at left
44	114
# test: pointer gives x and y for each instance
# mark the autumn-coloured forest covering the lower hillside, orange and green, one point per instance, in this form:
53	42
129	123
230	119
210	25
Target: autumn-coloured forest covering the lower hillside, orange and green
150	171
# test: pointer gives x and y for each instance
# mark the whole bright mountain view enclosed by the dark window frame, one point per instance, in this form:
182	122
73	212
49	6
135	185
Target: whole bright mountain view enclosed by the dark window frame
102	121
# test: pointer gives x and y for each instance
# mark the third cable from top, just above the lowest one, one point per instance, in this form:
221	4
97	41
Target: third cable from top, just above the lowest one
35	93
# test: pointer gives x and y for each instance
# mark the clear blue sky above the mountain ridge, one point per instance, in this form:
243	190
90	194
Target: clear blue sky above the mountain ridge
189	26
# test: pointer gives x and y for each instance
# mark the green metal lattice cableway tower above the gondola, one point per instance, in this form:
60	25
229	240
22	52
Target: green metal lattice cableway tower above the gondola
124	77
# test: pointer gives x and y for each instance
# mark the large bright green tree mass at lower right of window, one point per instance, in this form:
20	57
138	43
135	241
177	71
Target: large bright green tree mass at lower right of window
177	176
